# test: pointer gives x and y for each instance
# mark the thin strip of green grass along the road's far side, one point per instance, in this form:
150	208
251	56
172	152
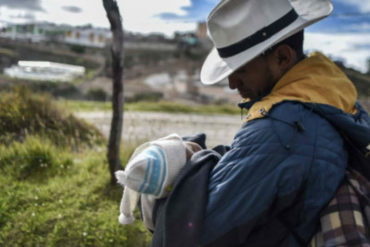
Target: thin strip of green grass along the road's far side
161	106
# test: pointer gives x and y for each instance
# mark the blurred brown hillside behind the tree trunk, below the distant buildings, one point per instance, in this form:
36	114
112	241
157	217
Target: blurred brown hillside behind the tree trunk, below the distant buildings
139	66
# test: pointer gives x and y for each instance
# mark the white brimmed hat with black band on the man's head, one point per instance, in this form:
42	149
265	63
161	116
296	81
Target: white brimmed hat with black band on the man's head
243	29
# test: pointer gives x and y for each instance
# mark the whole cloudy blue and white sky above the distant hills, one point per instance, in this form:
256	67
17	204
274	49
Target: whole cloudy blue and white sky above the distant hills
345	35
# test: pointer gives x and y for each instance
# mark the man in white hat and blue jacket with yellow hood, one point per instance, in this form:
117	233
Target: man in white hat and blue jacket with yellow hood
288	159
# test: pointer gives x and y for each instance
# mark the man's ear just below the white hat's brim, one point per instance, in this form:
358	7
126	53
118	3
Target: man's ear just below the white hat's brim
285	57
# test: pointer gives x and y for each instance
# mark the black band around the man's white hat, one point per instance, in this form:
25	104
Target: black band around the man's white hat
259	36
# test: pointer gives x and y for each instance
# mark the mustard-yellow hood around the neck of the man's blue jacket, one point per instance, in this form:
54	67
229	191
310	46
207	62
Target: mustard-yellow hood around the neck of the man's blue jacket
315	79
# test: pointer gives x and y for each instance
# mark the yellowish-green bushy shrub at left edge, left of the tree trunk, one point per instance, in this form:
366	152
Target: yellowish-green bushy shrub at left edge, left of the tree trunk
23	113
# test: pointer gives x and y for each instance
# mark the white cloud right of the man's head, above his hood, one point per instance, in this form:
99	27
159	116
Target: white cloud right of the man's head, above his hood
353	47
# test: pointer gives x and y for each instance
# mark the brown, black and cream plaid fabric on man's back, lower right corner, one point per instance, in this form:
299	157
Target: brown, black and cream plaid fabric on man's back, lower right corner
345	221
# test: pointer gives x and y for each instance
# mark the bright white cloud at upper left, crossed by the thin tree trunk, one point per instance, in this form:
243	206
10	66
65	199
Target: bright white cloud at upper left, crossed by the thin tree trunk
138	15
